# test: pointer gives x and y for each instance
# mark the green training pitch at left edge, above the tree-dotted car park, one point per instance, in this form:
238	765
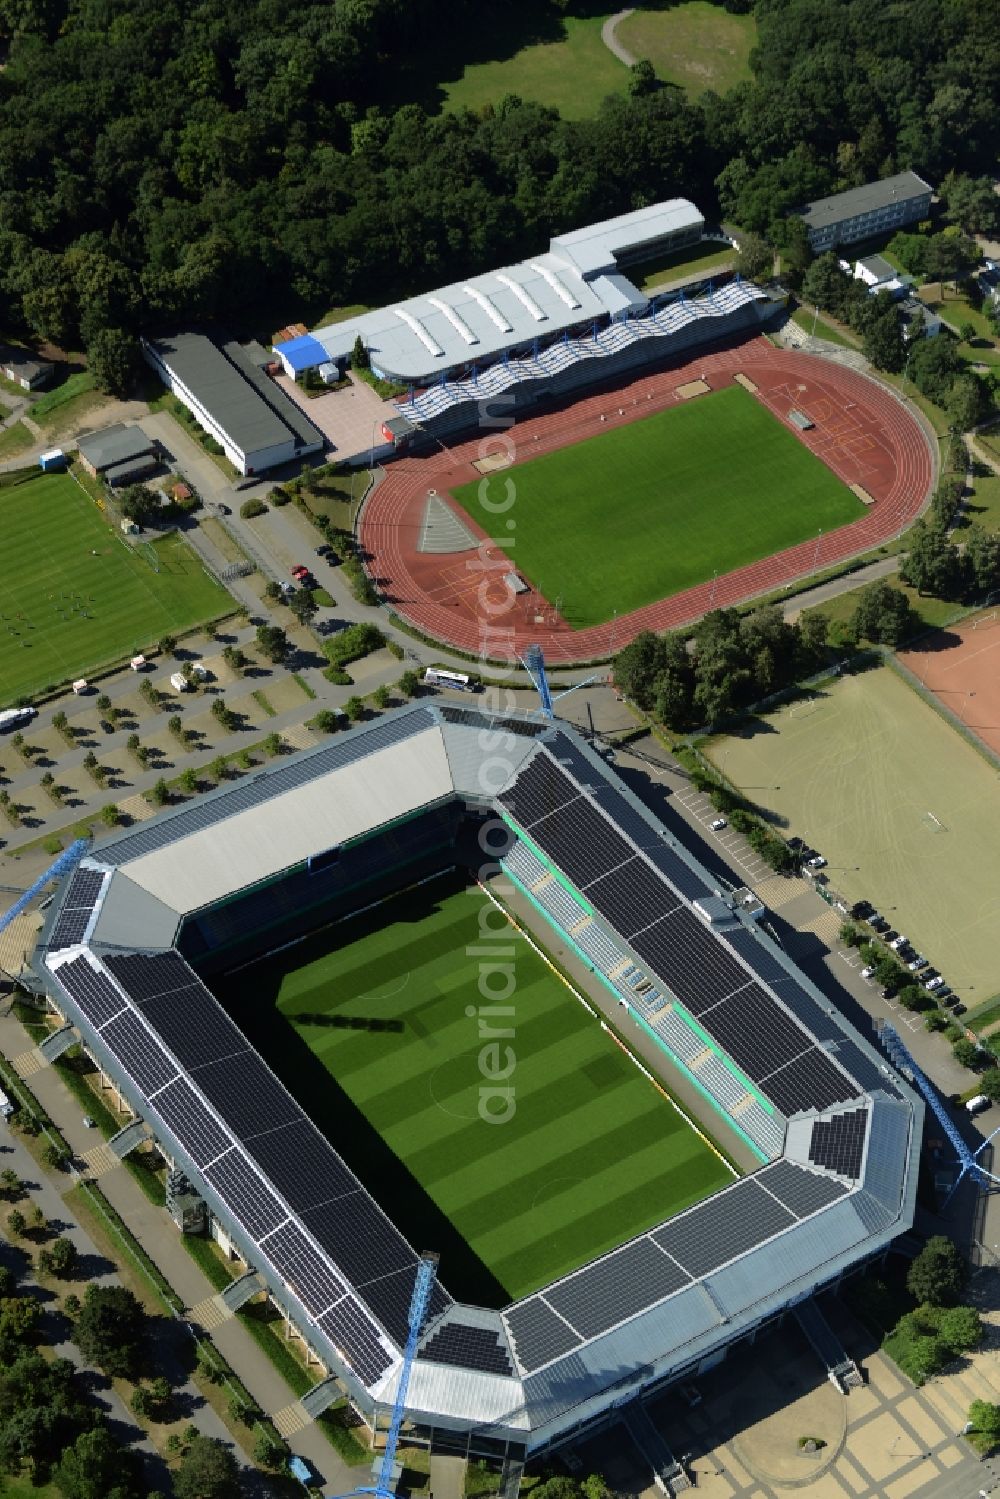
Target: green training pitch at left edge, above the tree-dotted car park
77	597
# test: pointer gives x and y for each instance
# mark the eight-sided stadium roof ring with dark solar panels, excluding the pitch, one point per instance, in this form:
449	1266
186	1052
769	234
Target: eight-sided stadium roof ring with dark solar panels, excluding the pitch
834	1128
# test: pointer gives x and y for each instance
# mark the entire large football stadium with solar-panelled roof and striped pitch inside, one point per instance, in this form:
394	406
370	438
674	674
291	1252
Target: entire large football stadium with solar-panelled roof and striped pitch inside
397	1064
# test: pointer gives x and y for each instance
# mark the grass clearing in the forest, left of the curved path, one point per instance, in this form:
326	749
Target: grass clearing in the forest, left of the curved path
572	74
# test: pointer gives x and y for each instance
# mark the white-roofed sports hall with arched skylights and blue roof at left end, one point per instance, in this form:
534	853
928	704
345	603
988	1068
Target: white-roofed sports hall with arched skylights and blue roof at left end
485	317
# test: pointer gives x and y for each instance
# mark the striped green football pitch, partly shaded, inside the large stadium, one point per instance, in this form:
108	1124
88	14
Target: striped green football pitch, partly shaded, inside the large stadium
382	1043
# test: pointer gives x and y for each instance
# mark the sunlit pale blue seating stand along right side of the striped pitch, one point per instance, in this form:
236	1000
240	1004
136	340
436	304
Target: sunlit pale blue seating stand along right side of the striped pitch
654	1008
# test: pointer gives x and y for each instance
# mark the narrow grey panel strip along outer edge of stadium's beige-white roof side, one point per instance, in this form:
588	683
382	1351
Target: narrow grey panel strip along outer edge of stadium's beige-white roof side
268	785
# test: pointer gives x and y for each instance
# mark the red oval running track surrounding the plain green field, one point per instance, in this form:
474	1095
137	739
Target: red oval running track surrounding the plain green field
861	432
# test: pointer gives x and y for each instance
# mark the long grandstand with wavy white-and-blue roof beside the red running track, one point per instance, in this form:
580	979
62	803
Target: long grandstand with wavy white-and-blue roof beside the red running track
576	362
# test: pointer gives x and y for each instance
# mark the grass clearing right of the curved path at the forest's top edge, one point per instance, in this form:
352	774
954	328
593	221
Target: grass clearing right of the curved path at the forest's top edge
695	46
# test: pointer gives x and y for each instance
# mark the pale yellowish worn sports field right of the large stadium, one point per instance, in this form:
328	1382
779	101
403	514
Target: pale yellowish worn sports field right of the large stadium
855	770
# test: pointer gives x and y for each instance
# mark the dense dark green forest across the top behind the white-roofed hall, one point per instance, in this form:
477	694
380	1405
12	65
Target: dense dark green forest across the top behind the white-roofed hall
163	160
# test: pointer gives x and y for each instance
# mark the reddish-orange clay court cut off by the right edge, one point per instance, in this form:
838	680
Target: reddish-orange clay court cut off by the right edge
962	668
